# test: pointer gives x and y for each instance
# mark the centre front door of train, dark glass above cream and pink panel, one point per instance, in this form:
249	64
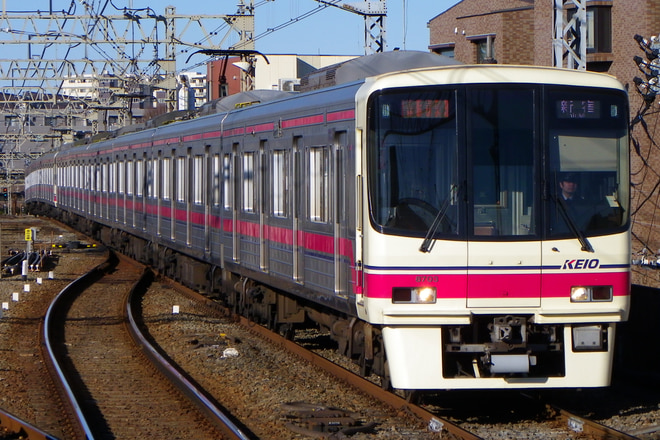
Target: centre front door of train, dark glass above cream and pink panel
502	132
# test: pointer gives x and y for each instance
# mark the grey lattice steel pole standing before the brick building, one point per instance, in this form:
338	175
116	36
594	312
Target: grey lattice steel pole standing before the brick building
570	36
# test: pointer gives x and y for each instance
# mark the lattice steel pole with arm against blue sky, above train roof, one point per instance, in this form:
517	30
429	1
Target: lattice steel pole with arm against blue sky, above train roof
374	13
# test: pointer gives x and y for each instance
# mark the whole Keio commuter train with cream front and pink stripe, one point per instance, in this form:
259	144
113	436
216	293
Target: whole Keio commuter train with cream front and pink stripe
451	226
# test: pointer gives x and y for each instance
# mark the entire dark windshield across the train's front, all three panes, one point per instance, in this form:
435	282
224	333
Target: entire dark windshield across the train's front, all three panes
484	162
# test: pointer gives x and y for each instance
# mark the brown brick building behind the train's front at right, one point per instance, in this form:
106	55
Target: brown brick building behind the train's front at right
522	32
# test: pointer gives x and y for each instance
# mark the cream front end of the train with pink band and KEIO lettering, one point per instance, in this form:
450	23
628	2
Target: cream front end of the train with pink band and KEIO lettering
493	225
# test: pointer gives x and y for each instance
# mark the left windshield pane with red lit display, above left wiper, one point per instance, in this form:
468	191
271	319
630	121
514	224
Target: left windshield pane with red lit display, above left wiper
413	159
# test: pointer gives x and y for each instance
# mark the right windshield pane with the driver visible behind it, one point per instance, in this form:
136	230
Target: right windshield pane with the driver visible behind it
587	140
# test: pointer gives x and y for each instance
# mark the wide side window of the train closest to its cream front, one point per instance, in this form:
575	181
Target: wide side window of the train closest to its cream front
318	184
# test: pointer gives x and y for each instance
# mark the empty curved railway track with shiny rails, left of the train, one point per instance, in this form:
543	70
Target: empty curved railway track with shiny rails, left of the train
113	389
